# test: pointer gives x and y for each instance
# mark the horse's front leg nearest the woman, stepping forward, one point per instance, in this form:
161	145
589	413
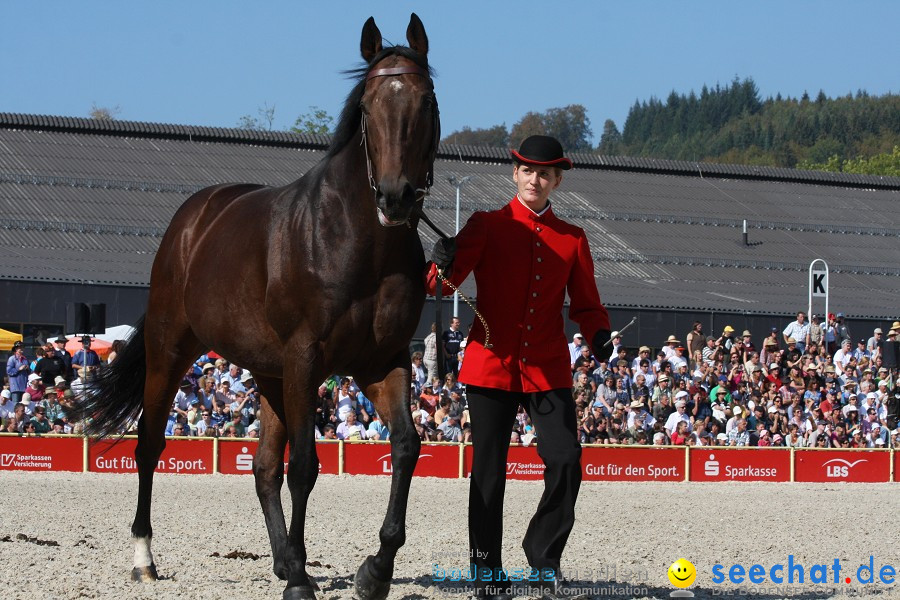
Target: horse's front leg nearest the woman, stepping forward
373	579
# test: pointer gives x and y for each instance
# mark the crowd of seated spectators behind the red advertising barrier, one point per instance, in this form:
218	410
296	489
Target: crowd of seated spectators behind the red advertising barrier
807	384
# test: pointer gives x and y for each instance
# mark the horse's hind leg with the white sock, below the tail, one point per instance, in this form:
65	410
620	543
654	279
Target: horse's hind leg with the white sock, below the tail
170	351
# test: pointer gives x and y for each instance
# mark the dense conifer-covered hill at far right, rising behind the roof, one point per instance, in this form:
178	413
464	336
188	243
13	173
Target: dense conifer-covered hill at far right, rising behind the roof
732	124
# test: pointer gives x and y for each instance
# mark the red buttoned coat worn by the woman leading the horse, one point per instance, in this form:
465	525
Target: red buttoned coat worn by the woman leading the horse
524	264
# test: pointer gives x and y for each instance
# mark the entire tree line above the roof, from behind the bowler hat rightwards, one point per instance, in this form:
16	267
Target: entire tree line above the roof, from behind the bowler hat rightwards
729	124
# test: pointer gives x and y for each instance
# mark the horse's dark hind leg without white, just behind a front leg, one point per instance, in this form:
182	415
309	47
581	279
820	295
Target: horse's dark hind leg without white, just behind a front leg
268	468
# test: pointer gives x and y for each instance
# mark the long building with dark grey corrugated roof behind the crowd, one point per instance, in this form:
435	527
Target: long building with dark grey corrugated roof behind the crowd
85	203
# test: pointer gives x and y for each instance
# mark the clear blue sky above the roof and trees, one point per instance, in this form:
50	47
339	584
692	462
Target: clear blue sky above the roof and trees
209	63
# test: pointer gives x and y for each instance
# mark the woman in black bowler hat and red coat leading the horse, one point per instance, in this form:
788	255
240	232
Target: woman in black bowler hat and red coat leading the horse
525	260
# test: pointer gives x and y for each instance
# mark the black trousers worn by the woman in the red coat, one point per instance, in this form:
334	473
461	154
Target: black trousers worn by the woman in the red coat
553	416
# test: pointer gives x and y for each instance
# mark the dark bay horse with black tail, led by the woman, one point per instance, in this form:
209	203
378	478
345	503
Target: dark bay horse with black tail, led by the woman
324	276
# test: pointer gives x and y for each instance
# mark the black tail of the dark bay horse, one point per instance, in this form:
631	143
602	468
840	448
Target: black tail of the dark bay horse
116	397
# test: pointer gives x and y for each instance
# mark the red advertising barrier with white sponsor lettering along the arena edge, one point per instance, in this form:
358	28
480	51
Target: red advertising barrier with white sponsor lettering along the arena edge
599	463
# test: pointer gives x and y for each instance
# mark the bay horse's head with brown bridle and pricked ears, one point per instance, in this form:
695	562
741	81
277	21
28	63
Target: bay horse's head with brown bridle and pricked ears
400	124
